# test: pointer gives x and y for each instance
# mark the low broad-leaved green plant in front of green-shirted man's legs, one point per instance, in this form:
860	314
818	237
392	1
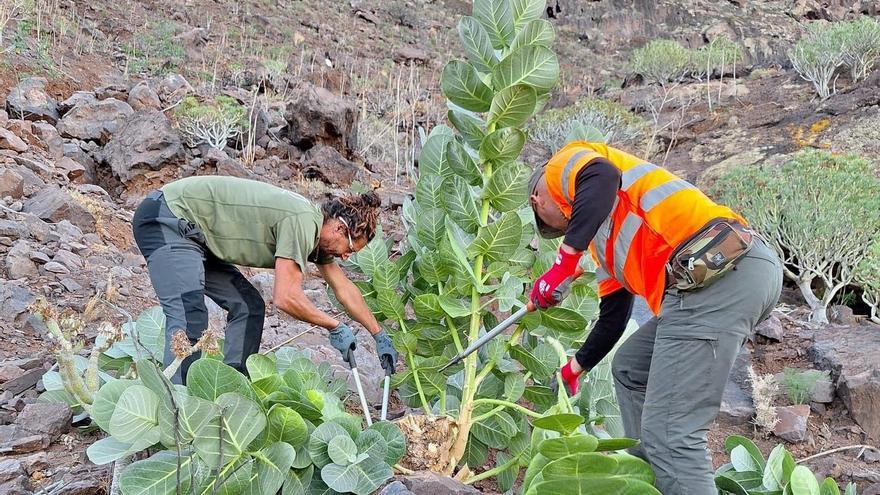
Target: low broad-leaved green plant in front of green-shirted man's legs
284	429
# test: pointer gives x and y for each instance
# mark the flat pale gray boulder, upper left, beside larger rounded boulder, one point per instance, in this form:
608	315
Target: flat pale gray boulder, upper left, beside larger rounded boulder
95	121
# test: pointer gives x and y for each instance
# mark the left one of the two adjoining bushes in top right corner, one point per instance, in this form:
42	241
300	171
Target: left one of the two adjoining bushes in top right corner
817	55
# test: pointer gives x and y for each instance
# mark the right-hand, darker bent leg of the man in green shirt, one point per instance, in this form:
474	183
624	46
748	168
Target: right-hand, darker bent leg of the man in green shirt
226	286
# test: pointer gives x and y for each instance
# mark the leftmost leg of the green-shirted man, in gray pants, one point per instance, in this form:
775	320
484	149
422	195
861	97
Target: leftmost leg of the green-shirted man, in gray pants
176	268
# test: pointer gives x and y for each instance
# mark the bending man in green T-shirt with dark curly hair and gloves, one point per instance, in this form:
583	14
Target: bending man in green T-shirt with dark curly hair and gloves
194	231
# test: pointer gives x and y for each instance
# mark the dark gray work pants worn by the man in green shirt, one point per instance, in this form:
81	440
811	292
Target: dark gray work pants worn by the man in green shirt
183	271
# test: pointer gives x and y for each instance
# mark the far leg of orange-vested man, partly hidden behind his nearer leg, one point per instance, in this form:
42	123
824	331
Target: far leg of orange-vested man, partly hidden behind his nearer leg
630	368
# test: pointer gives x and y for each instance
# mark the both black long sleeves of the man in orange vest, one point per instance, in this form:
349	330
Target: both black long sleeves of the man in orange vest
595	190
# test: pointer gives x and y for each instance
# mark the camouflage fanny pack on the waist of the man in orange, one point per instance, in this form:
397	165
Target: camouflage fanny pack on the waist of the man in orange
709	255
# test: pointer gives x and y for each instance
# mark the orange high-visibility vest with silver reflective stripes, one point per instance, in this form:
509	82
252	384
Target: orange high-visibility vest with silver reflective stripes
655	211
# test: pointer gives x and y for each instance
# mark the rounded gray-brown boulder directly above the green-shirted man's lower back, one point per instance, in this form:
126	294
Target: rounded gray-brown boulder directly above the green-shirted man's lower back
146	141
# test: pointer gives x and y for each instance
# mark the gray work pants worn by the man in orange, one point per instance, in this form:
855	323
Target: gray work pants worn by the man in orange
670	374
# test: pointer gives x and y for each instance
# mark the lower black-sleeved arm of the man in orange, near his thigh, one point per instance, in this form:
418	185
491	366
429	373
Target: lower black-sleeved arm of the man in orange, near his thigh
614	313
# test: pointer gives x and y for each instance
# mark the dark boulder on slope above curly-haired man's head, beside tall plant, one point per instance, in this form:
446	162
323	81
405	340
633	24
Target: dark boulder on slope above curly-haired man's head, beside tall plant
317	116
